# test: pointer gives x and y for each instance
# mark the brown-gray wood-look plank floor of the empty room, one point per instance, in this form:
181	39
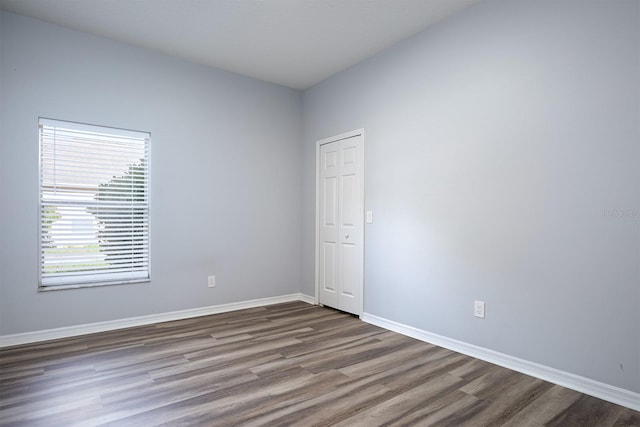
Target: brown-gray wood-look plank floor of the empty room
289	364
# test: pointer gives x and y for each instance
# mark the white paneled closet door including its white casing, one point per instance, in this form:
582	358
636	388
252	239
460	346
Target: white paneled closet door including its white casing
339	222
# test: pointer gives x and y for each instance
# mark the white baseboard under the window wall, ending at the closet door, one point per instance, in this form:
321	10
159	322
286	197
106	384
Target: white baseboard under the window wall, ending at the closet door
90	328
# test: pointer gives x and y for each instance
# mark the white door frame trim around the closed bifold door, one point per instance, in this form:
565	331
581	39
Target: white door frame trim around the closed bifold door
319	143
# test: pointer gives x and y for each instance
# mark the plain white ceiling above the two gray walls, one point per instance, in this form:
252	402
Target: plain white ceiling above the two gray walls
295	43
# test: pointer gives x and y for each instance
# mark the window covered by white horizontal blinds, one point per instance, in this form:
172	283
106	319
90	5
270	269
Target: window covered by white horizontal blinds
94	205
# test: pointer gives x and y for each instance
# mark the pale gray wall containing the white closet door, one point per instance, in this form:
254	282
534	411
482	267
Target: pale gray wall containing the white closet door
502	164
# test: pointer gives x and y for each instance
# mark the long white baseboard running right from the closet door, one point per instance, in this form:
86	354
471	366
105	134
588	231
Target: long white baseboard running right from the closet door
578	383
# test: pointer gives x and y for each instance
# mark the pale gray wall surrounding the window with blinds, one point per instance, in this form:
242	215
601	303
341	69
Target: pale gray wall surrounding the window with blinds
225	174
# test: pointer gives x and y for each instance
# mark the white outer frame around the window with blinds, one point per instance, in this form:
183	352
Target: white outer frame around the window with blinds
112	278
